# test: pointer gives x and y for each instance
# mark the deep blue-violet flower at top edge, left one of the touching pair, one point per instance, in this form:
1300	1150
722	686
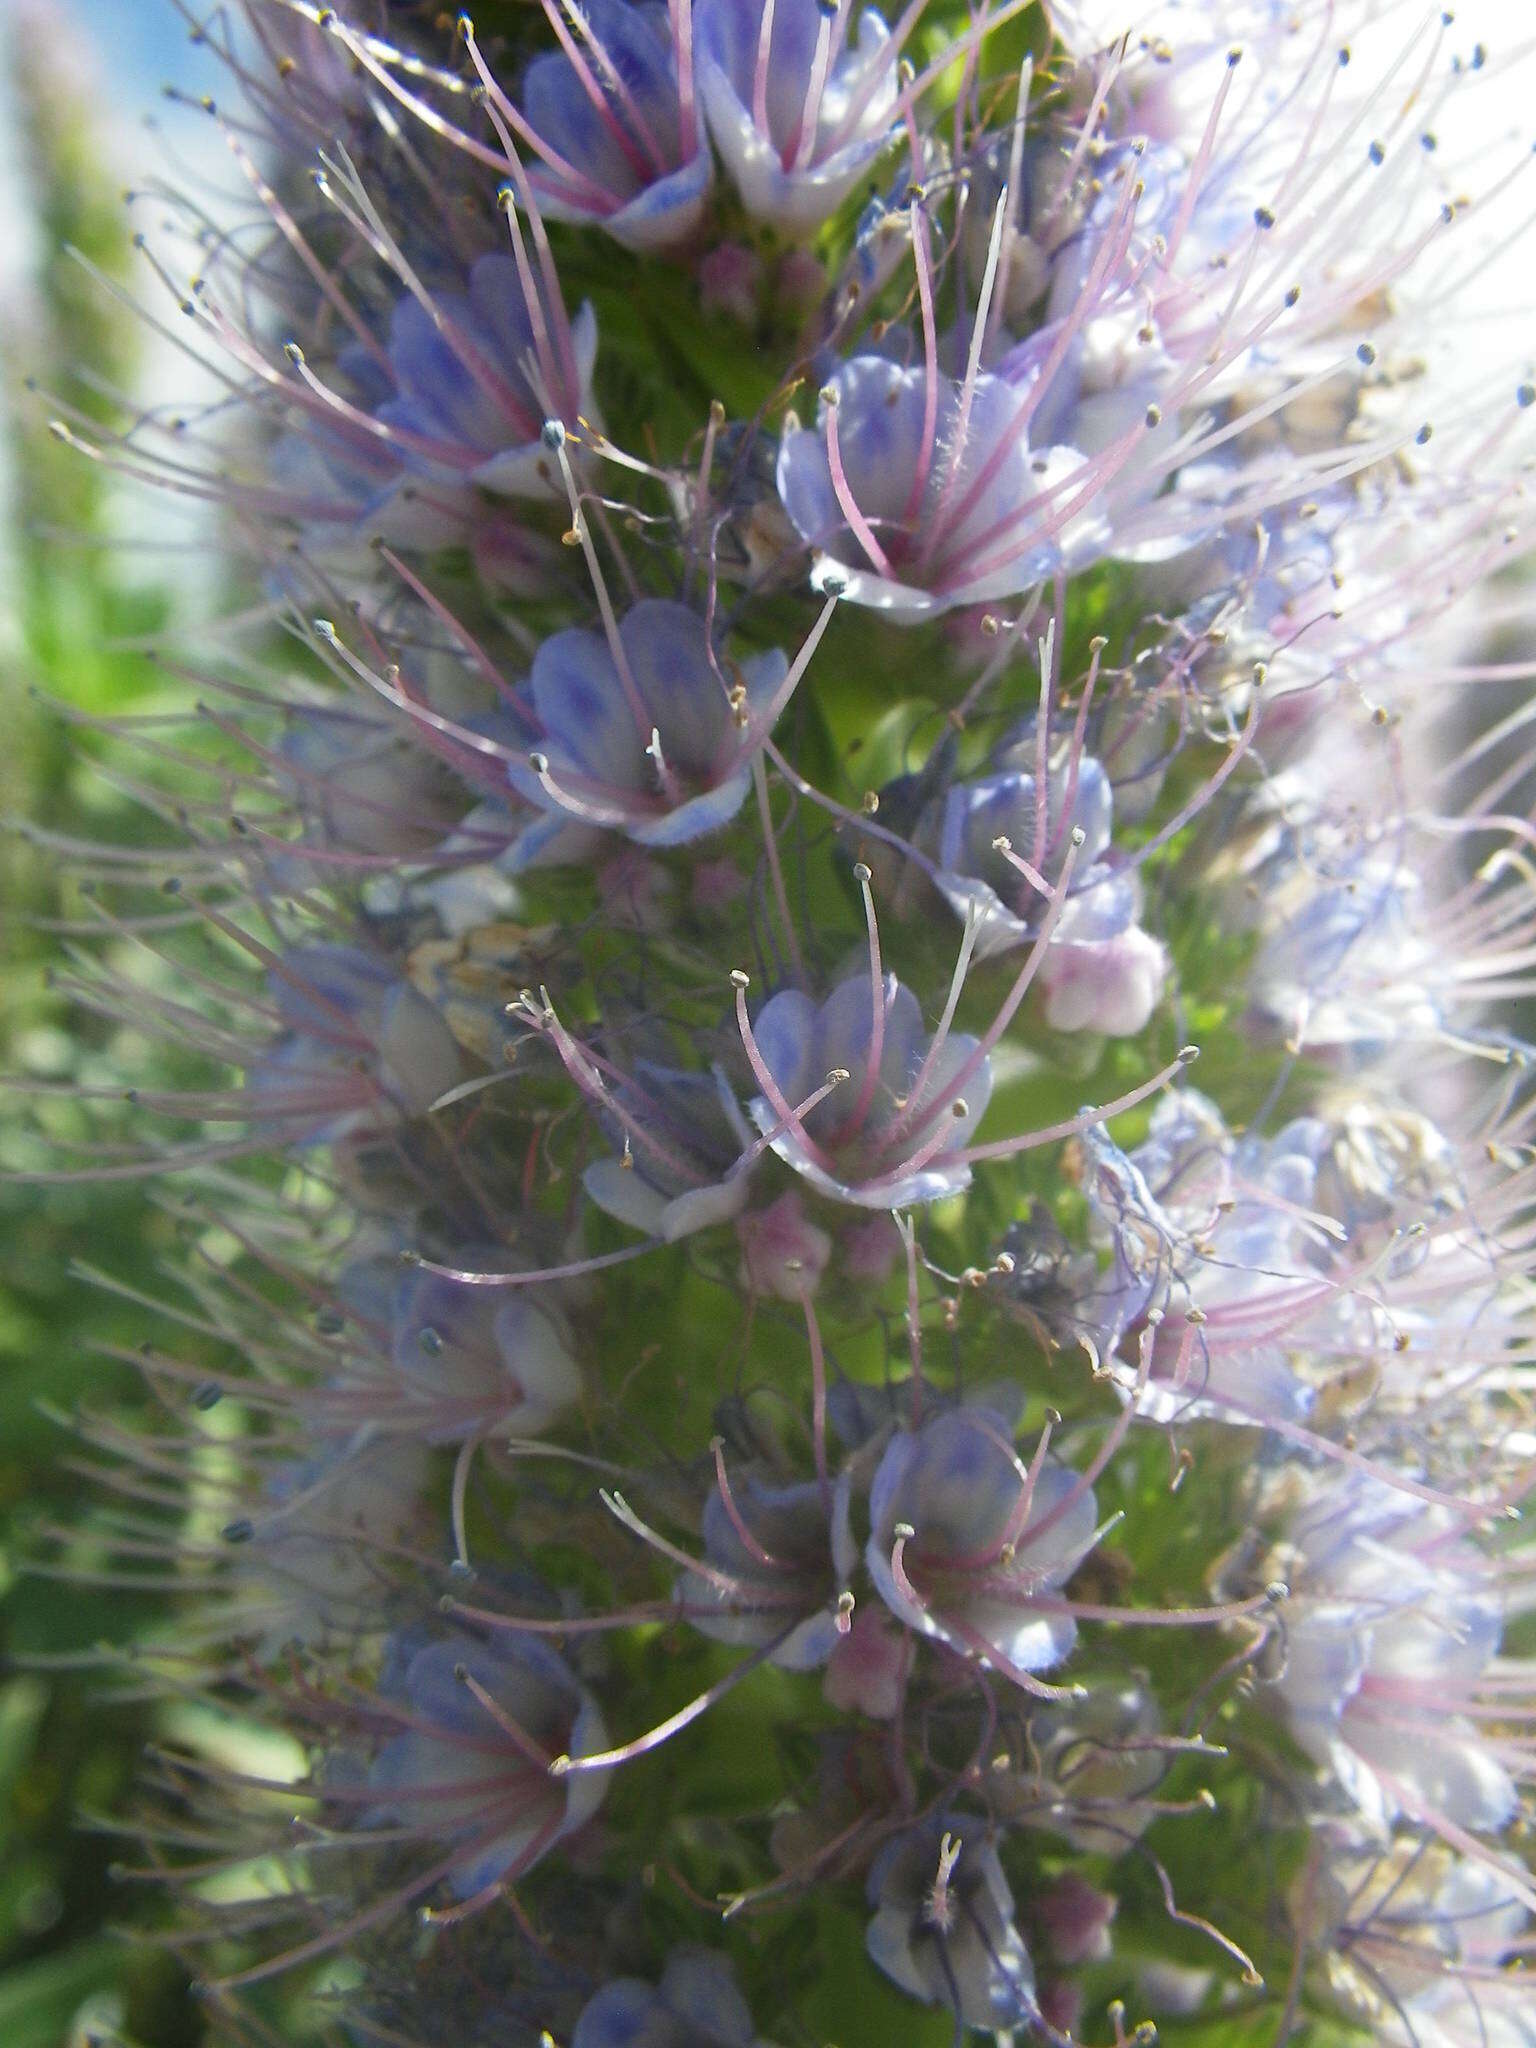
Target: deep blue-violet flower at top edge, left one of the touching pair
624	144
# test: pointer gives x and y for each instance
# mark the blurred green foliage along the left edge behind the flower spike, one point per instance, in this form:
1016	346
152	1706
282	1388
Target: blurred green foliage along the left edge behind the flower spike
71	617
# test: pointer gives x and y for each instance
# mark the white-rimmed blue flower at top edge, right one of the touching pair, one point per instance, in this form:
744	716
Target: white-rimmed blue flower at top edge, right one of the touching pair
802	122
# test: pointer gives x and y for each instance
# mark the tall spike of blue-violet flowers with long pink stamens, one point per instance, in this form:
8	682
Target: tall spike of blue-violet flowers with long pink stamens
822	593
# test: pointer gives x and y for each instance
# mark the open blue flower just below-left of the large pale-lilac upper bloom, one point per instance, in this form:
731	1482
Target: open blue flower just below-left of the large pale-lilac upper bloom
646	734
